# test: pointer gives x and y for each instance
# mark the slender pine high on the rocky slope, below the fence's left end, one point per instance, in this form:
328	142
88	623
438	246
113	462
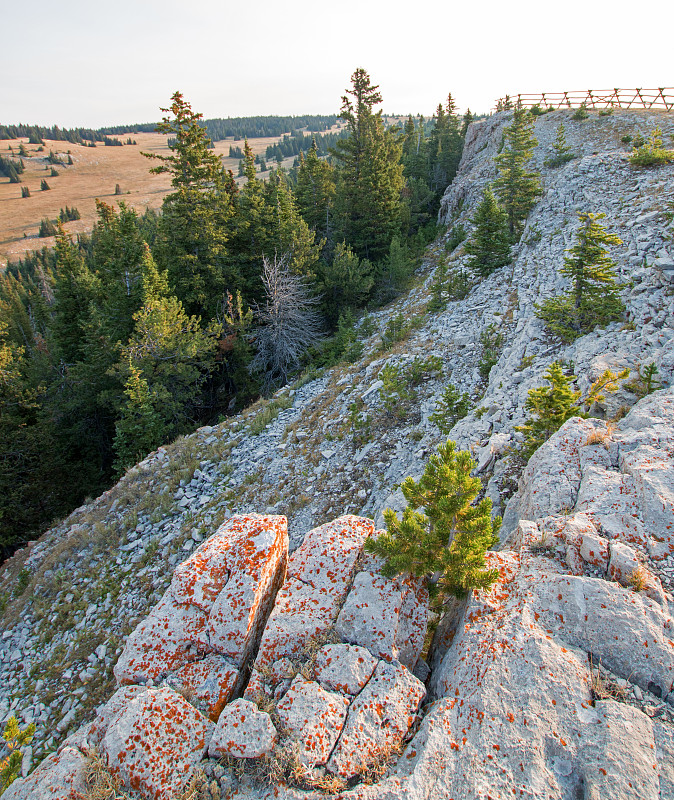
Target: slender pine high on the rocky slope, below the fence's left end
516	187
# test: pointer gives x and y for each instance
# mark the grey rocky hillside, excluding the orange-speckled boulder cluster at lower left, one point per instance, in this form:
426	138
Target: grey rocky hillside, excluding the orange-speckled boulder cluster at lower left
517	696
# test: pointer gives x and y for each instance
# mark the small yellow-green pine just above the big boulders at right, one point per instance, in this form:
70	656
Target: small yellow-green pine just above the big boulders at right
550	407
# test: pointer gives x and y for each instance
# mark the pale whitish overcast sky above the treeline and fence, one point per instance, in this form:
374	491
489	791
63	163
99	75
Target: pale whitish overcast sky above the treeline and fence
78	63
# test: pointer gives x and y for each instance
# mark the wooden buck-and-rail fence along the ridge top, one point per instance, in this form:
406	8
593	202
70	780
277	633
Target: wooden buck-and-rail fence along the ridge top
594	98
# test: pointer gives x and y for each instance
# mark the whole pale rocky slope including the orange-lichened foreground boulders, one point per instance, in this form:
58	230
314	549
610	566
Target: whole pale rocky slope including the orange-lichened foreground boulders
556	683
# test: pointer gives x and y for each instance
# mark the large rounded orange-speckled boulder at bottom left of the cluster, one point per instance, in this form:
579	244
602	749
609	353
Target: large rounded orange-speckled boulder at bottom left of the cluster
154	744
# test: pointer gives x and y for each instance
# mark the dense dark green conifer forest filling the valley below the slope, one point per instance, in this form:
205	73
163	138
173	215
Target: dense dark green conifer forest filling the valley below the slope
124	339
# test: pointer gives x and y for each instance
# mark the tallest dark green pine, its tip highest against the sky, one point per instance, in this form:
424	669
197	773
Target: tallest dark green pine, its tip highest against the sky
370	176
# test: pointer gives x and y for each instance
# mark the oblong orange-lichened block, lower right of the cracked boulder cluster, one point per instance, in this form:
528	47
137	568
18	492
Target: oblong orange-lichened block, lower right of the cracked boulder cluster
378	719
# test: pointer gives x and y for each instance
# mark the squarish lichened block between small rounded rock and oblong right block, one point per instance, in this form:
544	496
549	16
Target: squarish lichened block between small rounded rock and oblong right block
314	718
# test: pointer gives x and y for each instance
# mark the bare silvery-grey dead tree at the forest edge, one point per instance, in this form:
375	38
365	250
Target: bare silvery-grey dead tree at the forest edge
288	323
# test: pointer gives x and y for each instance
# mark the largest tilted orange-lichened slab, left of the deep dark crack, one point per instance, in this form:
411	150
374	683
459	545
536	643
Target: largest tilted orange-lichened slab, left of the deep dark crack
218	601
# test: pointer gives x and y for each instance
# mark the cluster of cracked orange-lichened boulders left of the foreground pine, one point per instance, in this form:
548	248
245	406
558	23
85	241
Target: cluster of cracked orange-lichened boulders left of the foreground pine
228	619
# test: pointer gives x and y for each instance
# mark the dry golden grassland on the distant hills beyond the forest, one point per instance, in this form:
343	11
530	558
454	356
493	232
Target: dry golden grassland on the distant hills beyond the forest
94	174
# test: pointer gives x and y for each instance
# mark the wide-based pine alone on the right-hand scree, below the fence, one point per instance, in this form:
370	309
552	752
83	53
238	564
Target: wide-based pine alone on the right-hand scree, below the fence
593	298
